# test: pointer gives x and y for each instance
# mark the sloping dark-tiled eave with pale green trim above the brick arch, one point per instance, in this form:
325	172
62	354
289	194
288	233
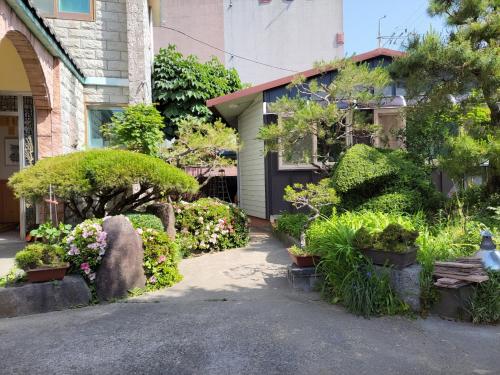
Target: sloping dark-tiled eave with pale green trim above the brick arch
43	32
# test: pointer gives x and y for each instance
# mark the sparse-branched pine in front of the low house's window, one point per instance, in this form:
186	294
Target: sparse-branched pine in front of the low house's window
325	111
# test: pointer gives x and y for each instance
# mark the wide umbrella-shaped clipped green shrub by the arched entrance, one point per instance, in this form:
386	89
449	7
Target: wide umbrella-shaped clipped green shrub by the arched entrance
98	182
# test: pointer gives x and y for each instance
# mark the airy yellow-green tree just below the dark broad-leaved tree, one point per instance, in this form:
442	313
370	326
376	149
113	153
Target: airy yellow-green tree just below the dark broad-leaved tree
201	144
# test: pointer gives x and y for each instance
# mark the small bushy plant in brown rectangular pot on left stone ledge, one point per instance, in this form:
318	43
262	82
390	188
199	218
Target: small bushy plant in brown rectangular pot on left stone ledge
42	262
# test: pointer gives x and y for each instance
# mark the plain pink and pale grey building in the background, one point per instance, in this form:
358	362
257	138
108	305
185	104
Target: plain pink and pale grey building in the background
263	39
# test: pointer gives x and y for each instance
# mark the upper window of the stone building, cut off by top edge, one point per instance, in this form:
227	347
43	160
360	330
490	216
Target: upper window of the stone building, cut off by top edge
66	9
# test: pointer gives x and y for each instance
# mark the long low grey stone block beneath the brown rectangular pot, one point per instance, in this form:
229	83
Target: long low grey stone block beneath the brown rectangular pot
27	299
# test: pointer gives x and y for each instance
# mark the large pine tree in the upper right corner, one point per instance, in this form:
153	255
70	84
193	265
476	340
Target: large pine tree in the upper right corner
465	61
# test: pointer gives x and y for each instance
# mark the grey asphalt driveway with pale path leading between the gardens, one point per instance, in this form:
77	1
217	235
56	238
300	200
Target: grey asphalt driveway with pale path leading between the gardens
234	314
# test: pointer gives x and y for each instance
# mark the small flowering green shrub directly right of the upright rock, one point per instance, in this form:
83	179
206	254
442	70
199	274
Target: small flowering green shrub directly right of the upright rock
161	257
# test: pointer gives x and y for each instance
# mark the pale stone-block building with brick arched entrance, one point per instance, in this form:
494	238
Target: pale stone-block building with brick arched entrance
65	67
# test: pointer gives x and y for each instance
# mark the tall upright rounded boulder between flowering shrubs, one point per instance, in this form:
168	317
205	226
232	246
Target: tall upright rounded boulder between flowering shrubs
121	268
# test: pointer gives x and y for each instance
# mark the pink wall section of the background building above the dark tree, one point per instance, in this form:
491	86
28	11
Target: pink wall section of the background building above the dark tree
202	19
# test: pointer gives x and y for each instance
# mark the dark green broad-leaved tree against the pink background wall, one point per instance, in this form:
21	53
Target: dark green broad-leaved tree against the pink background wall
182	85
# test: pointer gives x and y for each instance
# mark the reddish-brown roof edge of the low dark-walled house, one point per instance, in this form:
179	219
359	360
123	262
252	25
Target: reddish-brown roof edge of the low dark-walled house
287	80
